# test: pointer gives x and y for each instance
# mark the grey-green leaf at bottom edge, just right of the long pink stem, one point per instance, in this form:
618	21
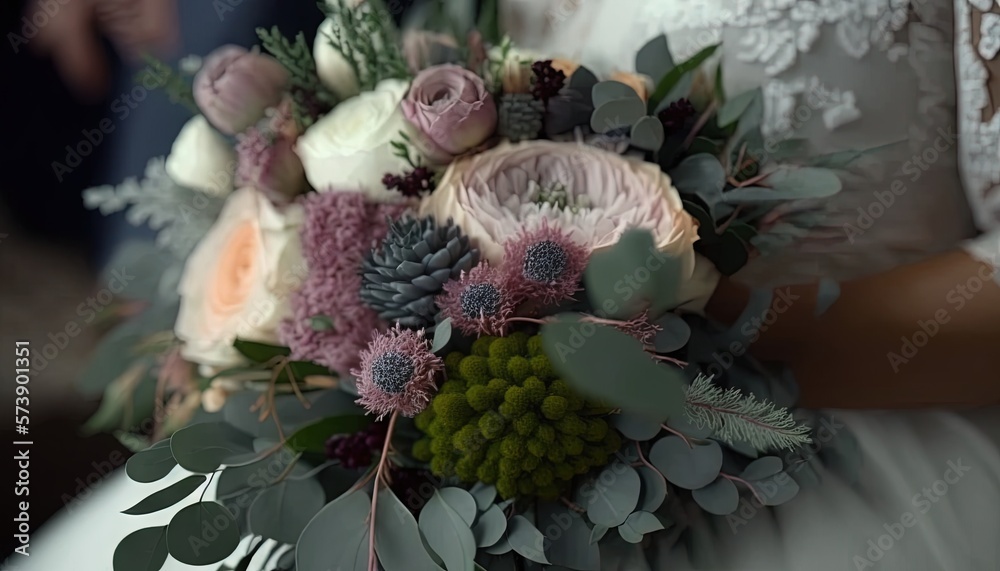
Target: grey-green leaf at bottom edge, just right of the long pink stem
397	537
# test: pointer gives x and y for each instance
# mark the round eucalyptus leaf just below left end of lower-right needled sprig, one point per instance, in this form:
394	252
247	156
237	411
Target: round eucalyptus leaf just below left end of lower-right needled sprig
687	467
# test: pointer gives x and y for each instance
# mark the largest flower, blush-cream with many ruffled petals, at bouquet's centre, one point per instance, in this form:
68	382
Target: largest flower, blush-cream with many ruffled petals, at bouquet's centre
591	194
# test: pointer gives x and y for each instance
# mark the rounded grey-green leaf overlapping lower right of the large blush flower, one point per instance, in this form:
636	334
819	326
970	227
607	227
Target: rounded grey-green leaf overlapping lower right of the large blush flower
631	275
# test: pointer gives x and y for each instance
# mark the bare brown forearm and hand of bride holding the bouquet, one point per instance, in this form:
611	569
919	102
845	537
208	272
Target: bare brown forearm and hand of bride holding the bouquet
922	335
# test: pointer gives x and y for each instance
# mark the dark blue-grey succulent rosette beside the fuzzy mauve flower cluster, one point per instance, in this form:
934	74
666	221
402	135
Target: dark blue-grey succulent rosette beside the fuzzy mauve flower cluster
401	277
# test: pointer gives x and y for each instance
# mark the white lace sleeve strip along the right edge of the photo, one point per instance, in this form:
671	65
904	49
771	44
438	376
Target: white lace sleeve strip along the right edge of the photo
977	48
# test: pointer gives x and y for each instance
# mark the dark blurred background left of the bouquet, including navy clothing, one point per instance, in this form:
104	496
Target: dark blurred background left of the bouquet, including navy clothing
51	247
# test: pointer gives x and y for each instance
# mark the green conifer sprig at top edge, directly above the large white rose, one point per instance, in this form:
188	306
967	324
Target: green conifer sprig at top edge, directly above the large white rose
366	37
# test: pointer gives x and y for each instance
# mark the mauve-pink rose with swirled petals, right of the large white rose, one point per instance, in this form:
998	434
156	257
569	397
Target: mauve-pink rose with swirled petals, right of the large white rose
451	109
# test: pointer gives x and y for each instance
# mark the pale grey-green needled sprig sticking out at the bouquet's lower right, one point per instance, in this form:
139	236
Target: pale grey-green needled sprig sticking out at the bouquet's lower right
734	417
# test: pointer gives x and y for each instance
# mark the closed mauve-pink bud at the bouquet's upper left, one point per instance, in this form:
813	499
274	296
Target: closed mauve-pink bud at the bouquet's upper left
236	86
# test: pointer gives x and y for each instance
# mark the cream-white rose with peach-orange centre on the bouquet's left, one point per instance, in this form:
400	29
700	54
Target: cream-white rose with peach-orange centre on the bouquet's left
239	279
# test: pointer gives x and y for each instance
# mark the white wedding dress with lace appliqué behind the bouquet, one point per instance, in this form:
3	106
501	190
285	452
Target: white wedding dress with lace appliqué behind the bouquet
847	74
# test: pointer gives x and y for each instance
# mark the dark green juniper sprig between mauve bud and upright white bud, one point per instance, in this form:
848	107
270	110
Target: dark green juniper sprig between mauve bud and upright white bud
310	98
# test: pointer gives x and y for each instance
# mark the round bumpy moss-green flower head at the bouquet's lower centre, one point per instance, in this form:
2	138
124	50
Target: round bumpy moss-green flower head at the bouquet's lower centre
505	418
